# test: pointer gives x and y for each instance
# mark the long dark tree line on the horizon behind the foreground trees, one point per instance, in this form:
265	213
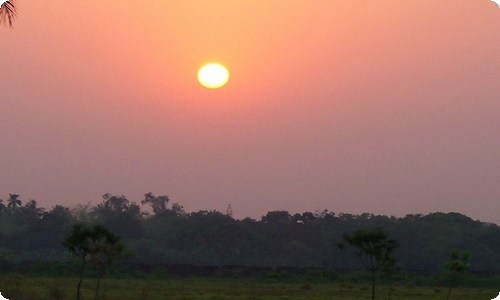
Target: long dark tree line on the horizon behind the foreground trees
160	233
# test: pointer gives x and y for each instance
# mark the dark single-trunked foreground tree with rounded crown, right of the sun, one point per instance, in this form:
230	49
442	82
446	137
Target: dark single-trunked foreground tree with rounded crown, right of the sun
374	250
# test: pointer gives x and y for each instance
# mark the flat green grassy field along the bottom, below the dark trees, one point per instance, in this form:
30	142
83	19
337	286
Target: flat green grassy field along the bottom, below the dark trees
21	288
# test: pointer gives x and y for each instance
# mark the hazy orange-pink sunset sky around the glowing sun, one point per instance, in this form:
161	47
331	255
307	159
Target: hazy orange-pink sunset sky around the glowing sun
386	107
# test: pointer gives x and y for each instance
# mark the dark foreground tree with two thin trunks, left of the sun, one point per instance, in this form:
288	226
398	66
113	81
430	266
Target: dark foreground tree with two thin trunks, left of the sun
93	245
